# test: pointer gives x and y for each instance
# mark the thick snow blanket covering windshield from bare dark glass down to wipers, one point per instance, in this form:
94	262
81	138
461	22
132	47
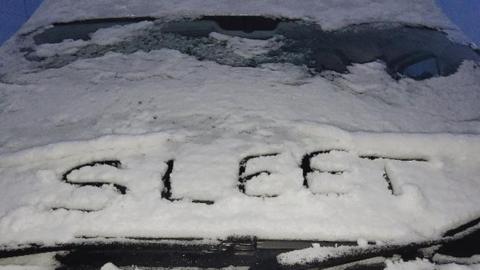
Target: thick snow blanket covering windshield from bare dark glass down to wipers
145	109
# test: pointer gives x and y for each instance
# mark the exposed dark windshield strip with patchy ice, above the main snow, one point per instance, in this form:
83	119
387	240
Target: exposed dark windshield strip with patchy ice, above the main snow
245	41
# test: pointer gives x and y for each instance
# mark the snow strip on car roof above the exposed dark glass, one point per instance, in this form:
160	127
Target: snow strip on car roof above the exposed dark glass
330	14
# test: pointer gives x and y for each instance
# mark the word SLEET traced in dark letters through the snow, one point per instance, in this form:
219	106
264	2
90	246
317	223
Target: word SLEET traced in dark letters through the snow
262	175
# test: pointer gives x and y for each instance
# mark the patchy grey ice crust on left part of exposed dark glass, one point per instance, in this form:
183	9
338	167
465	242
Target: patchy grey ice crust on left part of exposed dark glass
145	36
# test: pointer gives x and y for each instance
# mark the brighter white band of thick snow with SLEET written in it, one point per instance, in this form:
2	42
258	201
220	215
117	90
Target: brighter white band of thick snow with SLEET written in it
321	184
